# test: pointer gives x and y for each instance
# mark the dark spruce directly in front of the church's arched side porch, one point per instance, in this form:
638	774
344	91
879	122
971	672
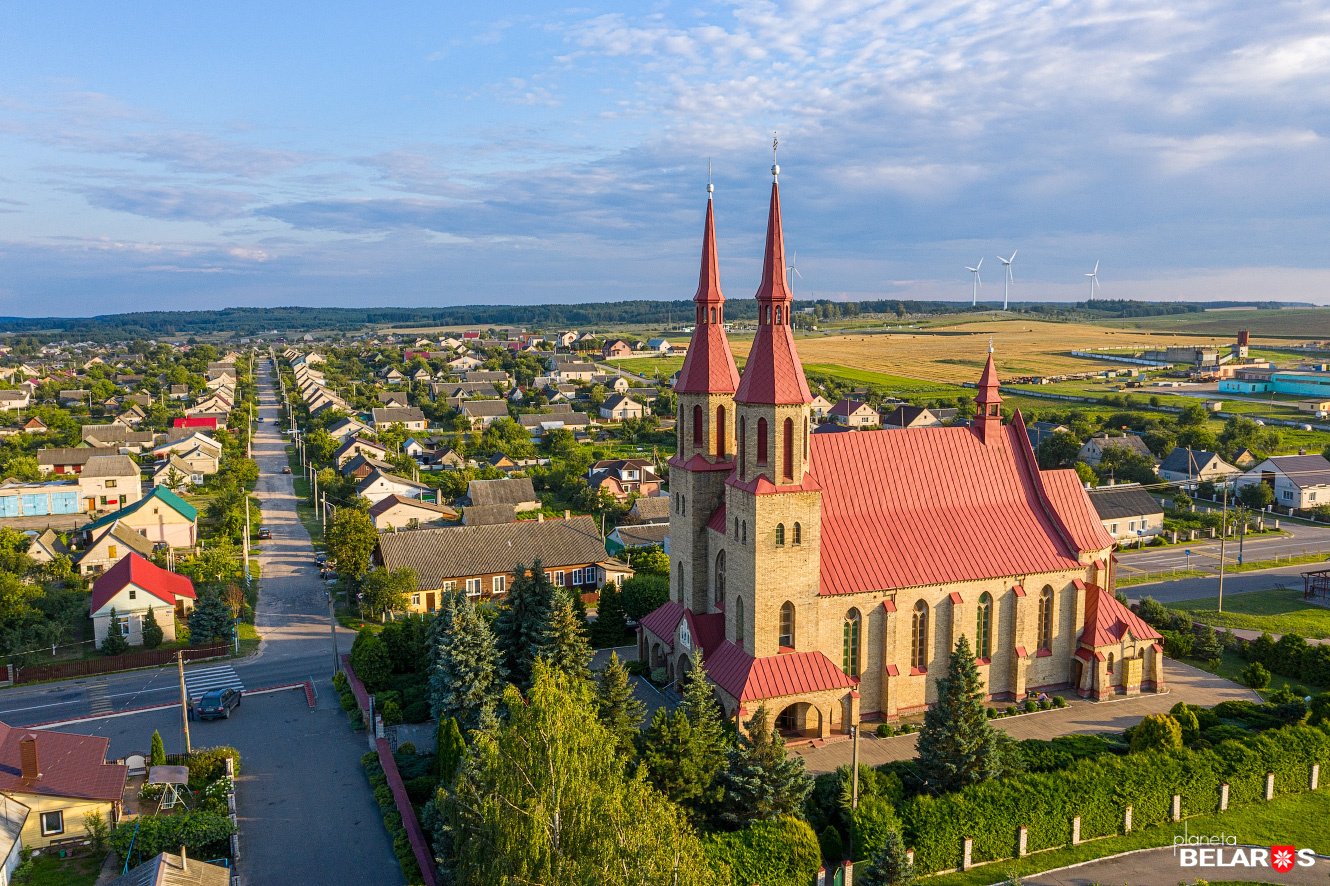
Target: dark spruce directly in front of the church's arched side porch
761	782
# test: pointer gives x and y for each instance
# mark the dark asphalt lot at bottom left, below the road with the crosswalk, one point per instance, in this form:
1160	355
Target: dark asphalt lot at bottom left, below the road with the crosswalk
301	792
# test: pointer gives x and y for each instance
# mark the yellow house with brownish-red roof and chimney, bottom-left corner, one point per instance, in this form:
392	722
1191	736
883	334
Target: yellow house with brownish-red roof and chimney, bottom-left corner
61	778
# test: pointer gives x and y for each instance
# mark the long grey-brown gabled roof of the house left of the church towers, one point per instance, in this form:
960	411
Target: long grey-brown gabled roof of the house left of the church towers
457	551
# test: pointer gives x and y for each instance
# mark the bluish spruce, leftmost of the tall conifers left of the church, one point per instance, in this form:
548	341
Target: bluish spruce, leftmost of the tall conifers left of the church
467	675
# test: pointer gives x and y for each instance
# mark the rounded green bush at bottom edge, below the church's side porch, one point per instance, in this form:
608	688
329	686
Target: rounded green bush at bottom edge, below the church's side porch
775	853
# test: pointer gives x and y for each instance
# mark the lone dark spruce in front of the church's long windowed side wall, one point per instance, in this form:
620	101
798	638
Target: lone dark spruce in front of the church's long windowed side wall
958	747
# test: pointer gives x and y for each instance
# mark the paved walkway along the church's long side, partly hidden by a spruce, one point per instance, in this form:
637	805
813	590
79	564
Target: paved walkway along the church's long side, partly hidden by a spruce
1186	684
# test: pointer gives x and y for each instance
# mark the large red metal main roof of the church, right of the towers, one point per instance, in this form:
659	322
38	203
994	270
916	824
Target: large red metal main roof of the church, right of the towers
937	505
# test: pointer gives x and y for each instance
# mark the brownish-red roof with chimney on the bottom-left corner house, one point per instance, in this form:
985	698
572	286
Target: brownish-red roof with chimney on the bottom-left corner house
71	766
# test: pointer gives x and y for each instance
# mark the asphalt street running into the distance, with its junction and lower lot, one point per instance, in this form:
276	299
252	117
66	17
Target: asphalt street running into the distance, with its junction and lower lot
305	806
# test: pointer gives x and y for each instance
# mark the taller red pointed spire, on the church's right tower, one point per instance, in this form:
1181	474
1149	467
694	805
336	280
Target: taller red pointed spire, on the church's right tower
773	373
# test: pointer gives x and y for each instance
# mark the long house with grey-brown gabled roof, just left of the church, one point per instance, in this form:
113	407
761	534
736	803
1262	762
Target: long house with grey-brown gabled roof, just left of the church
479	559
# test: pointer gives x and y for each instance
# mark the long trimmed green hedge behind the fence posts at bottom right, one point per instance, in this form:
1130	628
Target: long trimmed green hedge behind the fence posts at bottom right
1101	790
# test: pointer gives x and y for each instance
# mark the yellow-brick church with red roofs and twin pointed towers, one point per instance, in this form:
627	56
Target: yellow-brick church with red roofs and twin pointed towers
829	577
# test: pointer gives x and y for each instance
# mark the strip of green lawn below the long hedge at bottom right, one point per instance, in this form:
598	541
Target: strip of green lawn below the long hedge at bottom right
1297	820
